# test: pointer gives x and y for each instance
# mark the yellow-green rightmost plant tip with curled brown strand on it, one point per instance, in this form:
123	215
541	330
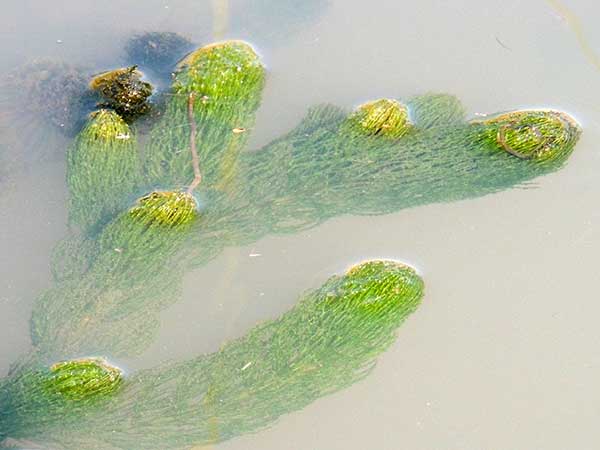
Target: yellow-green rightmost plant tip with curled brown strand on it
538	135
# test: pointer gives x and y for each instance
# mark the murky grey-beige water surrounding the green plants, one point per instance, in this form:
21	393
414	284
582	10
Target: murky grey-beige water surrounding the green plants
502	352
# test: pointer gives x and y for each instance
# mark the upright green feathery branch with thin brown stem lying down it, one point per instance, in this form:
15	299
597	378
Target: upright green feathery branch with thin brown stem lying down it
225	82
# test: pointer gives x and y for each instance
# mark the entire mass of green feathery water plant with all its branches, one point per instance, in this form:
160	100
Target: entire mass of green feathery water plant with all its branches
198	192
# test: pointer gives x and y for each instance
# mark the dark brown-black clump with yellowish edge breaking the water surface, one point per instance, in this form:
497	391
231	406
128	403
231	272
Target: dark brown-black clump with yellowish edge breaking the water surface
124	91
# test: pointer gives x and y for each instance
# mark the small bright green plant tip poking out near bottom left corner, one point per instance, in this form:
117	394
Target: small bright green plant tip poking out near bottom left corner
83	379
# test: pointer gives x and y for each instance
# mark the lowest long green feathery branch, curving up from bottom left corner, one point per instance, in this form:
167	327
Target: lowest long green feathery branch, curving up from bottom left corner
330	340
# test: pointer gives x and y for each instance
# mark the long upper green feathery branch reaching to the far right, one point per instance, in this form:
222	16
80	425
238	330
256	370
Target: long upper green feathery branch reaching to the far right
318	171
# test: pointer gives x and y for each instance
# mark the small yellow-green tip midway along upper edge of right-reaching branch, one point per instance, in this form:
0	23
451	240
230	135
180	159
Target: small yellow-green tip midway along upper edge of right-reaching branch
382	117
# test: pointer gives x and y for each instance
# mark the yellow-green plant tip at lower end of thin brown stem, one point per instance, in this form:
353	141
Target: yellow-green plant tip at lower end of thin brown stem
166	208
